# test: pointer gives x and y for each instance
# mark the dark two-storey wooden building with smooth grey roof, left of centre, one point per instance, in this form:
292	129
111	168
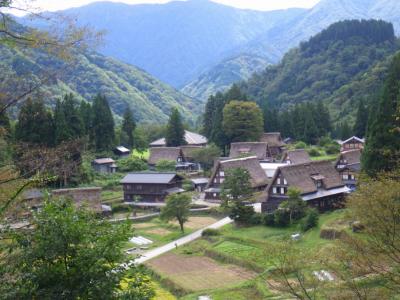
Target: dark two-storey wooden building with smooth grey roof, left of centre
150	187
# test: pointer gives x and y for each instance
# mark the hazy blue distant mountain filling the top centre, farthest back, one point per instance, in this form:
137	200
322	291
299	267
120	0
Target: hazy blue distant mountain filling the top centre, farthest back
179	40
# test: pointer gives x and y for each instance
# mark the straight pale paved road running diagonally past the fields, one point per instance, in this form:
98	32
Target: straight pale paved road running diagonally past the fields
182	241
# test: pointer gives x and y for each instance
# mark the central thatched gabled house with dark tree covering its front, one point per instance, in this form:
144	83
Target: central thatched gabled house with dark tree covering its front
259	179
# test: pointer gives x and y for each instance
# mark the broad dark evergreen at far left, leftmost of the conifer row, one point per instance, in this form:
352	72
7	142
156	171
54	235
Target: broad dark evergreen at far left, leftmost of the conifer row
35	124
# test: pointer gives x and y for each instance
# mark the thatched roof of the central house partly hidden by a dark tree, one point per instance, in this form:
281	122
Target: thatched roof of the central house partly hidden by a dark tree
251	164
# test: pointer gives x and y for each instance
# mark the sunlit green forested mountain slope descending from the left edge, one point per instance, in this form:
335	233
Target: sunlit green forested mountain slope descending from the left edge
87	74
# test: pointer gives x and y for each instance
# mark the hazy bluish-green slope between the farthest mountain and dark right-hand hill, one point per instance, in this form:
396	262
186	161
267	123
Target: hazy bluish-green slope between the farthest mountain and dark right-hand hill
221	77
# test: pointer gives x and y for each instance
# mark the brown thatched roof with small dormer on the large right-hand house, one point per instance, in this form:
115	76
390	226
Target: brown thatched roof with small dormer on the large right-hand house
300	176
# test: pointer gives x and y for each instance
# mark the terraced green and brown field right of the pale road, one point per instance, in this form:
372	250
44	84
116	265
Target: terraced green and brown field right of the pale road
244	247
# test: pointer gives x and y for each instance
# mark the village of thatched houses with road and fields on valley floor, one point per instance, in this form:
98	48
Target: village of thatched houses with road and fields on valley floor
275	166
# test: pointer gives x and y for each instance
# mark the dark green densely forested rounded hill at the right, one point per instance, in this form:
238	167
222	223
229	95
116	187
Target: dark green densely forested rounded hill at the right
343	64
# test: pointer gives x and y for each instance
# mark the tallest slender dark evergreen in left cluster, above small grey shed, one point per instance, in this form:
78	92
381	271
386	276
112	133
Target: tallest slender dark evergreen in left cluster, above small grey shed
103	124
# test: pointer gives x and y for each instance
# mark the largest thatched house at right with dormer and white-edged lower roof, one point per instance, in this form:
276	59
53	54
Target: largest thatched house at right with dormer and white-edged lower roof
319	183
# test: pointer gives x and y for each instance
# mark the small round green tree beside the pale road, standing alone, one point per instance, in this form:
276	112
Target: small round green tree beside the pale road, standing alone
177	207
